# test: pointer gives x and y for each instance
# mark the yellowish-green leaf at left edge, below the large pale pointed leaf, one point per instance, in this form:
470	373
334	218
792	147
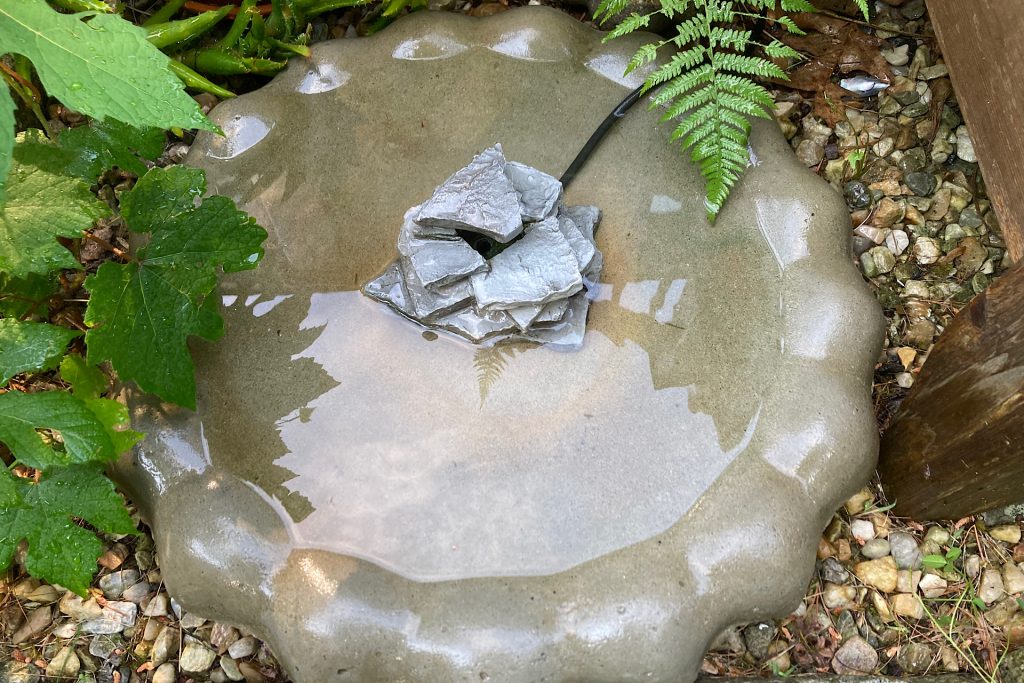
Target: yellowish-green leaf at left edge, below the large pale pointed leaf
41	207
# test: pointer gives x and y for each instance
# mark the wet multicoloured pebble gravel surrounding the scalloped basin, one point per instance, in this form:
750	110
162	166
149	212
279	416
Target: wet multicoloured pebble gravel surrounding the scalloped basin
926	239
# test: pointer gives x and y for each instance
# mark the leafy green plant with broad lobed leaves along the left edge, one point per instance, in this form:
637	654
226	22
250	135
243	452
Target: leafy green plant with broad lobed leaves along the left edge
54	493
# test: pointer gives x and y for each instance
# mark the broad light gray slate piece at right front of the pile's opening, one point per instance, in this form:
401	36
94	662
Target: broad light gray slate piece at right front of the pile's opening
539	269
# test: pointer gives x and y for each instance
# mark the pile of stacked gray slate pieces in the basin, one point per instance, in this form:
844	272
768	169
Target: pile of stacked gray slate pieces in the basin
534	289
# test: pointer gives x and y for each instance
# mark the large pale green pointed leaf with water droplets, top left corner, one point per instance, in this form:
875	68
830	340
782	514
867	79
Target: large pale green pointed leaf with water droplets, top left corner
102	66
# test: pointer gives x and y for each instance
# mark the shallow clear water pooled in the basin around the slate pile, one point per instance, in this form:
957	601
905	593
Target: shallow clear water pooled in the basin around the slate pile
439	459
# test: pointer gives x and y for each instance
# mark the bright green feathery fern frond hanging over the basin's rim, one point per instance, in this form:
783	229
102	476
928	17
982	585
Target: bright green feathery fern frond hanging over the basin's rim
708	87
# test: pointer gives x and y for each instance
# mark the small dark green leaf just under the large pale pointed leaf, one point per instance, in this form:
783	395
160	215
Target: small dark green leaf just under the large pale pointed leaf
105	145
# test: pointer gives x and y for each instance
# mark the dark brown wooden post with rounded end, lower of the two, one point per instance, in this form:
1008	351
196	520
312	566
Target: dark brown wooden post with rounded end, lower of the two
957	445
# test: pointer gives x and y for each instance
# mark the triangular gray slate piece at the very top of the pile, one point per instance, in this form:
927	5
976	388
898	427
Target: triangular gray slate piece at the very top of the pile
480	198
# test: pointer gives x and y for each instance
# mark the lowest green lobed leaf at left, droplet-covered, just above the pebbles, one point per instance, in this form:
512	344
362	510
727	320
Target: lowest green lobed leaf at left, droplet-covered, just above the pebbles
60	550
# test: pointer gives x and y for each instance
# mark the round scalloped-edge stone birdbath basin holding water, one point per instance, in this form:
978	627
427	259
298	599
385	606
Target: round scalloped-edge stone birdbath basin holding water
385	504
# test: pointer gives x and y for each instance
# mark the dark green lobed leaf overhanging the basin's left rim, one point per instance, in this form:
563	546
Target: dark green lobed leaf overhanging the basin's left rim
142	314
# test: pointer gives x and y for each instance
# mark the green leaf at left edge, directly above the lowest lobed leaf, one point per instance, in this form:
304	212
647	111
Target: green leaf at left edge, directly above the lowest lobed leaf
86	438
